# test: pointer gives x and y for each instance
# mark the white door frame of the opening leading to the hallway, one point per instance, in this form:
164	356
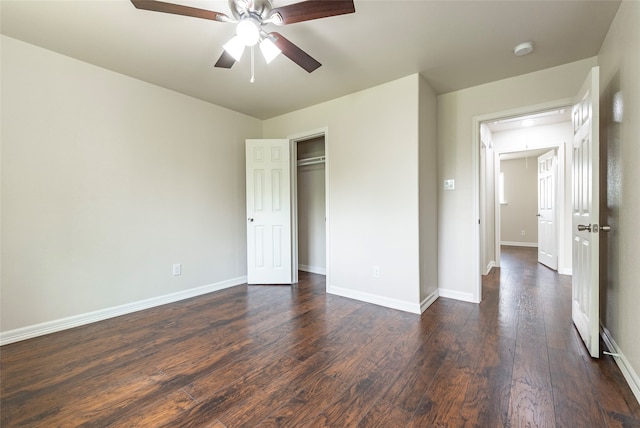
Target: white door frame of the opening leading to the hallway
475	178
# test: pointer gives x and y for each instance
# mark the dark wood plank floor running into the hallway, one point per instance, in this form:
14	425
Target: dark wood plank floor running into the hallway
277	356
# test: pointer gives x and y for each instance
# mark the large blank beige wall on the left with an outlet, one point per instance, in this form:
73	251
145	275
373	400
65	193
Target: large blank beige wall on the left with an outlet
106	182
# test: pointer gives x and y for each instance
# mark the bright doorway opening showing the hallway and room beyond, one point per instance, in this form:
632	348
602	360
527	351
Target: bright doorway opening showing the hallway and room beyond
509	150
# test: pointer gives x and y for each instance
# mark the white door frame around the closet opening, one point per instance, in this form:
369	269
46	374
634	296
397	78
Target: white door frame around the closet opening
293	144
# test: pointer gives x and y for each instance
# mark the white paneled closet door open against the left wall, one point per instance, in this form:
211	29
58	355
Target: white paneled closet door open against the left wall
268	212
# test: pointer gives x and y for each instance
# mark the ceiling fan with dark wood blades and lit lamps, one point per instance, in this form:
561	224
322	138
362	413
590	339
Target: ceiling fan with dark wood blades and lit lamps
251	16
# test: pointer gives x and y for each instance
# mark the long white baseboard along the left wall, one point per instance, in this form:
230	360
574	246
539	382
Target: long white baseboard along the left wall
48	327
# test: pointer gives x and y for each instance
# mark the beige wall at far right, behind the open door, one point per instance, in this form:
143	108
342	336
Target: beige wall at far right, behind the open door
619	60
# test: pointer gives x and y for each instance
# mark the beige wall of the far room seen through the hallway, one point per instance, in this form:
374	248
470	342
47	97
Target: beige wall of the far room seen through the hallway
521	194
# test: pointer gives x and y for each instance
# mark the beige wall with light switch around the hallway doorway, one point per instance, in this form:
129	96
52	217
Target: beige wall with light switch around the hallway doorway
458	258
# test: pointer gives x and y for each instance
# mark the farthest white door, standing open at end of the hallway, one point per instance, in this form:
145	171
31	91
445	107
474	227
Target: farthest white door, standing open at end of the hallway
547	237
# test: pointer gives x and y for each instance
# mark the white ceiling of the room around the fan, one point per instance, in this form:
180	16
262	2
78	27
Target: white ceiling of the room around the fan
453	44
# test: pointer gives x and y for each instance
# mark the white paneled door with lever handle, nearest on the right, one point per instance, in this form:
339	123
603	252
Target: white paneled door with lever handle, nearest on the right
586	213
